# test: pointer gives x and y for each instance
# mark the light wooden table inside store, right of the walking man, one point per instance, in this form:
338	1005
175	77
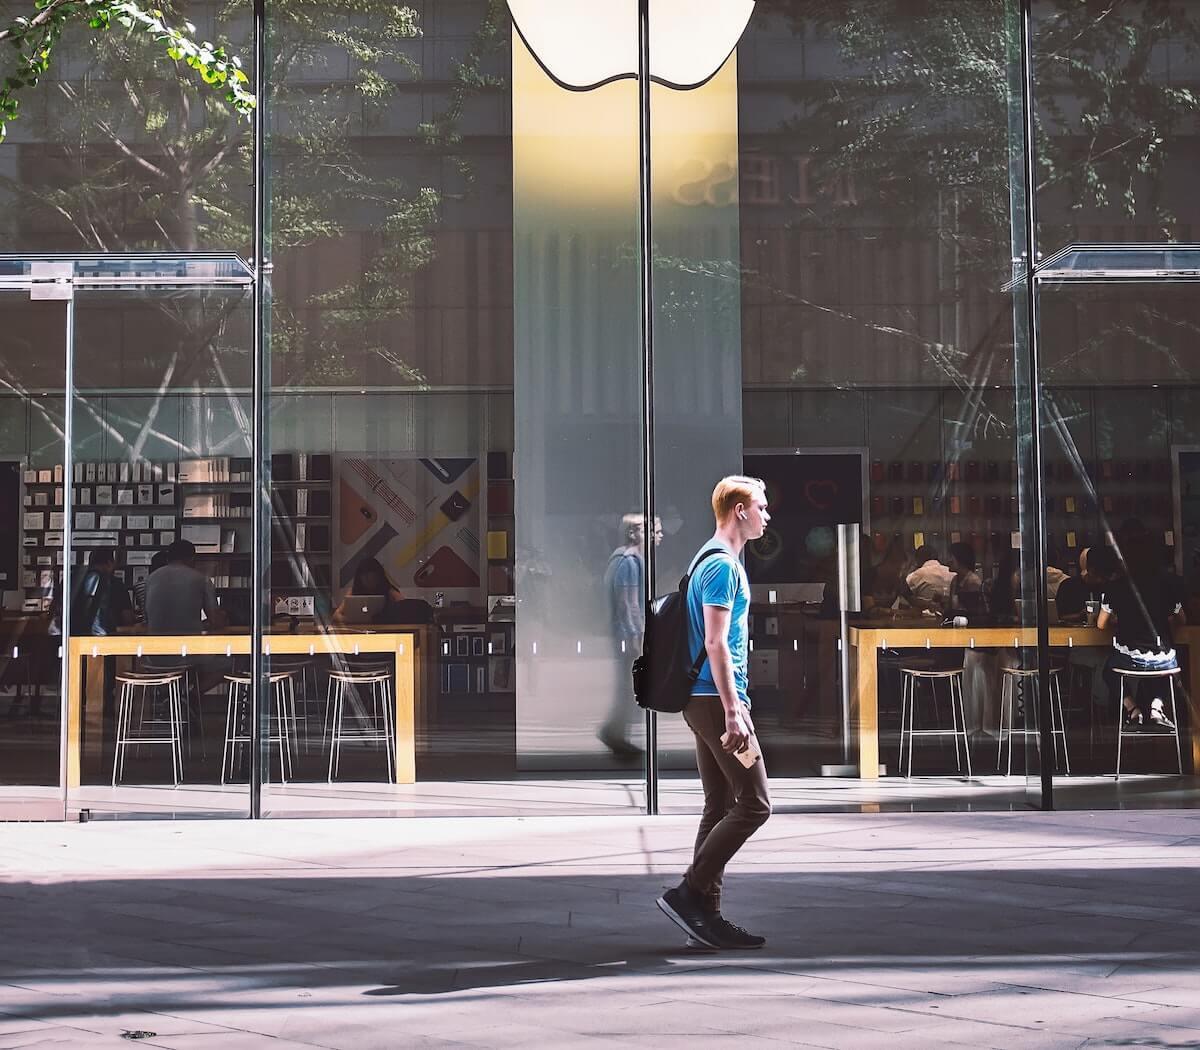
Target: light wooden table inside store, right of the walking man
867	640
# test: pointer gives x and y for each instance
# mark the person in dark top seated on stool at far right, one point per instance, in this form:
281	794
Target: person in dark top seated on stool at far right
1142	609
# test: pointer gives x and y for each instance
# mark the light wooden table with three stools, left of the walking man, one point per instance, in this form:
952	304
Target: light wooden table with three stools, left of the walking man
404	645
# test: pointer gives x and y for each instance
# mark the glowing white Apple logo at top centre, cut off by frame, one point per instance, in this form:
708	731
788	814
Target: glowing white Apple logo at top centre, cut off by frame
585	44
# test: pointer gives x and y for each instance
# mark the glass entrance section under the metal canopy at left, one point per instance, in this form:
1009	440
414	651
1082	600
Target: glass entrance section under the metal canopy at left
154	355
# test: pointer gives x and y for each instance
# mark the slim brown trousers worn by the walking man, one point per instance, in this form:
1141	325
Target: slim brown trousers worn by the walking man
737	801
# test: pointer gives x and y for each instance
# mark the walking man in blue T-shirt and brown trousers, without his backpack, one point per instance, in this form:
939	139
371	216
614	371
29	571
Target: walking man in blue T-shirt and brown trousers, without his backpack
737	801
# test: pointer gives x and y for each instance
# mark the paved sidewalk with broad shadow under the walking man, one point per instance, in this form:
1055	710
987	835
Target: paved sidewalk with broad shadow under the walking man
916	931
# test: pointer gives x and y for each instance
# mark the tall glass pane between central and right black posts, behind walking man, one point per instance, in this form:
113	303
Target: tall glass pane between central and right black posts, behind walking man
830	317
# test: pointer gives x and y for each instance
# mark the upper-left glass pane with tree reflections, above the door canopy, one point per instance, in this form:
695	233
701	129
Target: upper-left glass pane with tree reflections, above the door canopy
119	151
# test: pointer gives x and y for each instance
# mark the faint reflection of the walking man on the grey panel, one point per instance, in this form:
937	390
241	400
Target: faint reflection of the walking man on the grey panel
623	585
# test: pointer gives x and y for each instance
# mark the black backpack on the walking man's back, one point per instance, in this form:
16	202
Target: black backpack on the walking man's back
667	673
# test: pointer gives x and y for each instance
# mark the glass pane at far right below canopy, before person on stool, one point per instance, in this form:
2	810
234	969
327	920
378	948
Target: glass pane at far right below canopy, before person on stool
1119	377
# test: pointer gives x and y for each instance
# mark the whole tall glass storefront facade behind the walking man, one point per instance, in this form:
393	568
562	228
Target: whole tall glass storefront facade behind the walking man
922	266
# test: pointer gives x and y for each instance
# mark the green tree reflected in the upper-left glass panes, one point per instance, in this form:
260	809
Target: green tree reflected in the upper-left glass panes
139	157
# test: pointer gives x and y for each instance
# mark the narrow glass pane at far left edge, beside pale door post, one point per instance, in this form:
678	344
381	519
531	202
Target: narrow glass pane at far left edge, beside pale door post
33	367
